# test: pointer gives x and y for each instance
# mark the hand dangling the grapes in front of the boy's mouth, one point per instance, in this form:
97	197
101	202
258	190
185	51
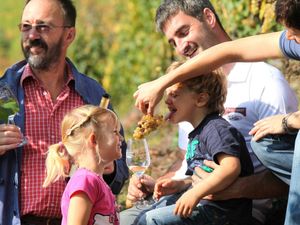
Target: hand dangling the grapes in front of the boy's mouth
148	96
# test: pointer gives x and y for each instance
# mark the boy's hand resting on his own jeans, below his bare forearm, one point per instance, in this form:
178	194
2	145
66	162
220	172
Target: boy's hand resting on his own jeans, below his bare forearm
186	203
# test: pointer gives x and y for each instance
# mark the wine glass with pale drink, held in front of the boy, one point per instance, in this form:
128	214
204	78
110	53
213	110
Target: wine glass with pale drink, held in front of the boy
138	160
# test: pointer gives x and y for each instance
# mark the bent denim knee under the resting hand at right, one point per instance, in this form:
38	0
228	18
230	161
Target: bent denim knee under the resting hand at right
276	153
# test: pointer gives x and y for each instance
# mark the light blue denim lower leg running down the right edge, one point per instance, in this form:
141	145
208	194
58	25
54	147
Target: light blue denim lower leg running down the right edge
293	209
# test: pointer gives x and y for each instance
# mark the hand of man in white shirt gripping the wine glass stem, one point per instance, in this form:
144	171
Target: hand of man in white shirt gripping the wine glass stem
139	188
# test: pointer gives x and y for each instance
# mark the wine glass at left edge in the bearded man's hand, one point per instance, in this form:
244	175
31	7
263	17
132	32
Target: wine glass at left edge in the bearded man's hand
9	106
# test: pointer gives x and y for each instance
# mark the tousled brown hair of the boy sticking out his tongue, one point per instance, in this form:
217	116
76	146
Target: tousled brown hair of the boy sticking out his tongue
213	83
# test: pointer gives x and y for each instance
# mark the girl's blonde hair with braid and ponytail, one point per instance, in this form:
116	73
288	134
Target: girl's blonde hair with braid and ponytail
76	127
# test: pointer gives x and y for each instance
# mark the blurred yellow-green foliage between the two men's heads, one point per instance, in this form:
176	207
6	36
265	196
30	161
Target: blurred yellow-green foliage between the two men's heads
124	51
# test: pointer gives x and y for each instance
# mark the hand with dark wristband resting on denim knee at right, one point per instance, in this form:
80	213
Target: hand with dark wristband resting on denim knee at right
268	125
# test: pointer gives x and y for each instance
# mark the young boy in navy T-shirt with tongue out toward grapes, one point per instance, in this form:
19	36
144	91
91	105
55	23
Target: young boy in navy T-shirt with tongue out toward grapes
200	101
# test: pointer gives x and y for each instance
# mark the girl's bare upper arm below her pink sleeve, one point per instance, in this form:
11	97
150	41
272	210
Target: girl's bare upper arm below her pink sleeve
79	209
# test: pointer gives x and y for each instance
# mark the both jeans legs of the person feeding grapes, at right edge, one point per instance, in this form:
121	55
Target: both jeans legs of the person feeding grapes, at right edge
282	156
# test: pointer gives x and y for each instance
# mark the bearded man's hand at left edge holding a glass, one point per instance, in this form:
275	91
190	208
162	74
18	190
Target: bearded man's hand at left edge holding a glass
10	137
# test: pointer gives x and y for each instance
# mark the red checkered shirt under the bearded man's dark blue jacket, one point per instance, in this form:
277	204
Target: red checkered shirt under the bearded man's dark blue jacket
42	128
